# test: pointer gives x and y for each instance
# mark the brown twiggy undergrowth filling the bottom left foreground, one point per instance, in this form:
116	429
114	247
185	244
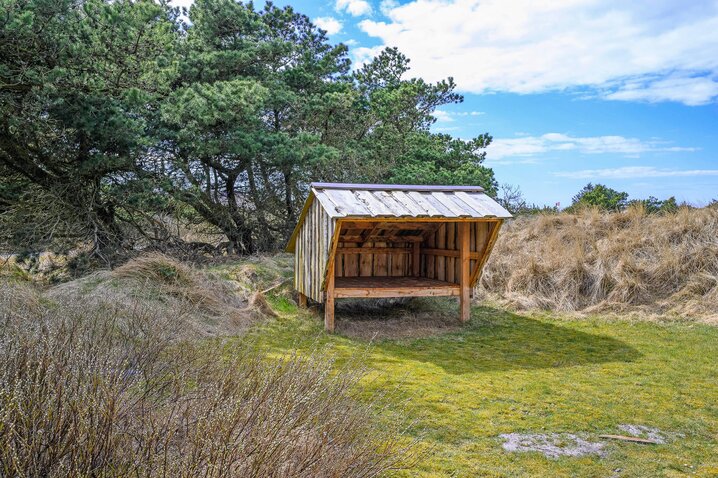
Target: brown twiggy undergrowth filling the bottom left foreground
96	387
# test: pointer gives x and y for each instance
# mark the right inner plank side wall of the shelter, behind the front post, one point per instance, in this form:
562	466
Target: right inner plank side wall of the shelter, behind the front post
446	237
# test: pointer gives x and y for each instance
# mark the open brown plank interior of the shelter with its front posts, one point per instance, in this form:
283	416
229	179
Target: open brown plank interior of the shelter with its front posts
402	257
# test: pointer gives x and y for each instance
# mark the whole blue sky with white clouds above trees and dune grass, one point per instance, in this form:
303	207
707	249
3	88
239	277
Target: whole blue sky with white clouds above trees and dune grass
573	91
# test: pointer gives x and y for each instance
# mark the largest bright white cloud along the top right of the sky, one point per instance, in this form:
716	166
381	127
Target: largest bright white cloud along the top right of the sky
645	50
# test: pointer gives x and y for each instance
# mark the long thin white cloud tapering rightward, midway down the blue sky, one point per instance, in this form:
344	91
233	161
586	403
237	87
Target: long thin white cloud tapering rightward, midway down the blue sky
526	146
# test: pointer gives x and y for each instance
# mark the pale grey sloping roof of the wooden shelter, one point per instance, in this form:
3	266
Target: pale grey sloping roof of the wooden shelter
395	200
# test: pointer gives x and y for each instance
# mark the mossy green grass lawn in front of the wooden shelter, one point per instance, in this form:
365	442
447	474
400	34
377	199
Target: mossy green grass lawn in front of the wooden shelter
509	373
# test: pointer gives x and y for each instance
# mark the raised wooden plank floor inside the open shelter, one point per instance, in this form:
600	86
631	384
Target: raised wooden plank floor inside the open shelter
393	287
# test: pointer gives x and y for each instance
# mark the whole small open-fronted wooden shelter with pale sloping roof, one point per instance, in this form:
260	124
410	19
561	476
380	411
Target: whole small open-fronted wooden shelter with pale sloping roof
376	240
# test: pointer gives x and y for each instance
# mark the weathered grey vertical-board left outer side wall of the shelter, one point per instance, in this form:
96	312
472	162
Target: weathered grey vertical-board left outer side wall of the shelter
311	257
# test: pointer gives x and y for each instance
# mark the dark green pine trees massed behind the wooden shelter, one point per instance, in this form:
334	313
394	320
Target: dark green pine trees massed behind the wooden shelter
120	113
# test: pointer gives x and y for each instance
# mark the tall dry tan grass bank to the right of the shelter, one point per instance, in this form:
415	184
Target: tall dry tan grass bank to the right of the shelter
661	265
